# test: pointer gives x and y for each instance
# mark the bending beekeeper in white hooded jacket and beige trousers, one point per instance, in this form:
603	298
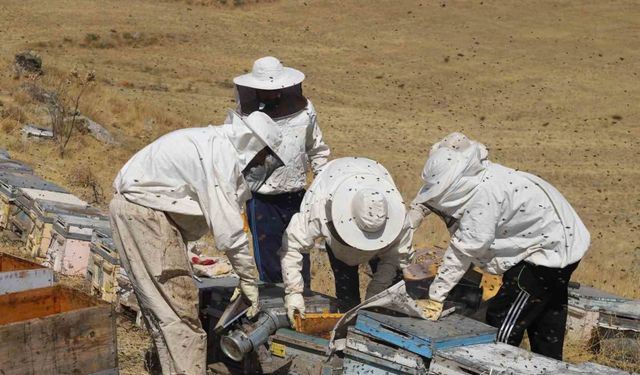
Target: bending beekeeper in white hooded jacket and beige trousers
174	190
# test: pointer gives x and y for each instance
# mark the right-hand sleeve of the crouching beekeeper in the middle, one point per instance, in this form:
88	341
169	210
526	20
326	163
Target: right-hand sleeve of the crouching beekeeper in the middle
391	261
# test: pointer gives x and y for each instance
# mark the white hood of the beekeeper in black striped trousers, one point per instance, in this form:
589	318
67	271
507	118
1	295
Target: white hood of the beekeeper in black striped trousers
453	170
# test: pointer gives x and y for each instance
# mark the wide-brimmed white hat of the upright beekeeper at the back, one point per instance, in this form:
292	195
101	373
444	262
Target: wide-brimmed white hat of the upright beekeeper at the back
268	73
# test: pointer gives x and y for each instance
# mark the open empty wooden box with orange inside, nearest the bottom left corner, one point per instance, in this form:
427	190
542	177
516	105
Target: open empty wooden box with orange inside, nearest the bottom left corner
56	330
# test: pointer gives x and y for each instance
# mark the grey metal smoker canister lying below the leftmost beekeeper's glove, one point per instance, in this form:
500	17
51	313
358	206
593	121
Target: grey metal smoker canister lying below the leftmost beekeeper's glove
238	342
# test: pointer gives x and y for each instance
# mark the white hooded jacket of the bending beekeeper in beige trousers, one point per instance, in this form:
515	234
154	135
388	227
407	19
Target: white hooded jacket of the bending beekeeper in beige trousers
195	175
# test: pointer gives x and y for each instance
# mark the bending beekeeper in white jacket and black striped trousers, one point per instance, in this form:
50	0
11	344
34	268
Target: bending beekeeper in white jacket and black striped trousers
506	222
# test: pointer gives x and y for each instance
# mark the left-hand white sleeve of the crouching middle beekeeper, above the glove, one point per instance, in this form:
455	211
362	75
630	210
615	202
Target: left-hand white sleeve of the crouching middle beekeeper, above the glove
299	238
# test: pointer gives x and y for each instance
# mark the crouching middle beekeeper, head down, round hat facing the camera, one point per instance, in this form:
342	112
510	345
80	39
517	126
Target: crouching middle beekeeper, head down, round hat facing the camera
354	205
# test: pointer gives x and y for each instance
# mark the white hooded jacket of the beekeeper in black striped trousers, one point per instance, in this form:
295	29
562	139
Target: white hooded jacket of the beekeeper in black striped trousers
497	216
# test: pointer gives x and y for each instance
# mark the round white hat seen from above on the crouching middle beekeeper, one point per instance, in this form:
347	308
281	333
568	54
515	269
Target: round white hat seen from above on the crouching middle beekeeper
367	212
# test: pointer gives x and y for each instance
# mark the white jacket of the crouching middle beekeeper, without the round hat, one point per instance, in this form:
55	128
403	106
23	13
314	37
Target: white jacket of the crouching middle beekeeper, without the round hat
314	220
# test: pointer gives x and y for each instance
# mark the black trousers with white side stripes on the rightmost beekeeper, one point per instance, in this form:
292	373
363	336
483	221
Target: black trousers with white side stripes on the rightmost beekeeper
532	299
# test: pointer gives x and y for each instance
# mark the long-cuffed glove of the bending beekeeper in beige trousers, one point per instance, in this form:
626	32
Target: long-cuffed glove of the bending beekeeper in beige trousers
245	267
